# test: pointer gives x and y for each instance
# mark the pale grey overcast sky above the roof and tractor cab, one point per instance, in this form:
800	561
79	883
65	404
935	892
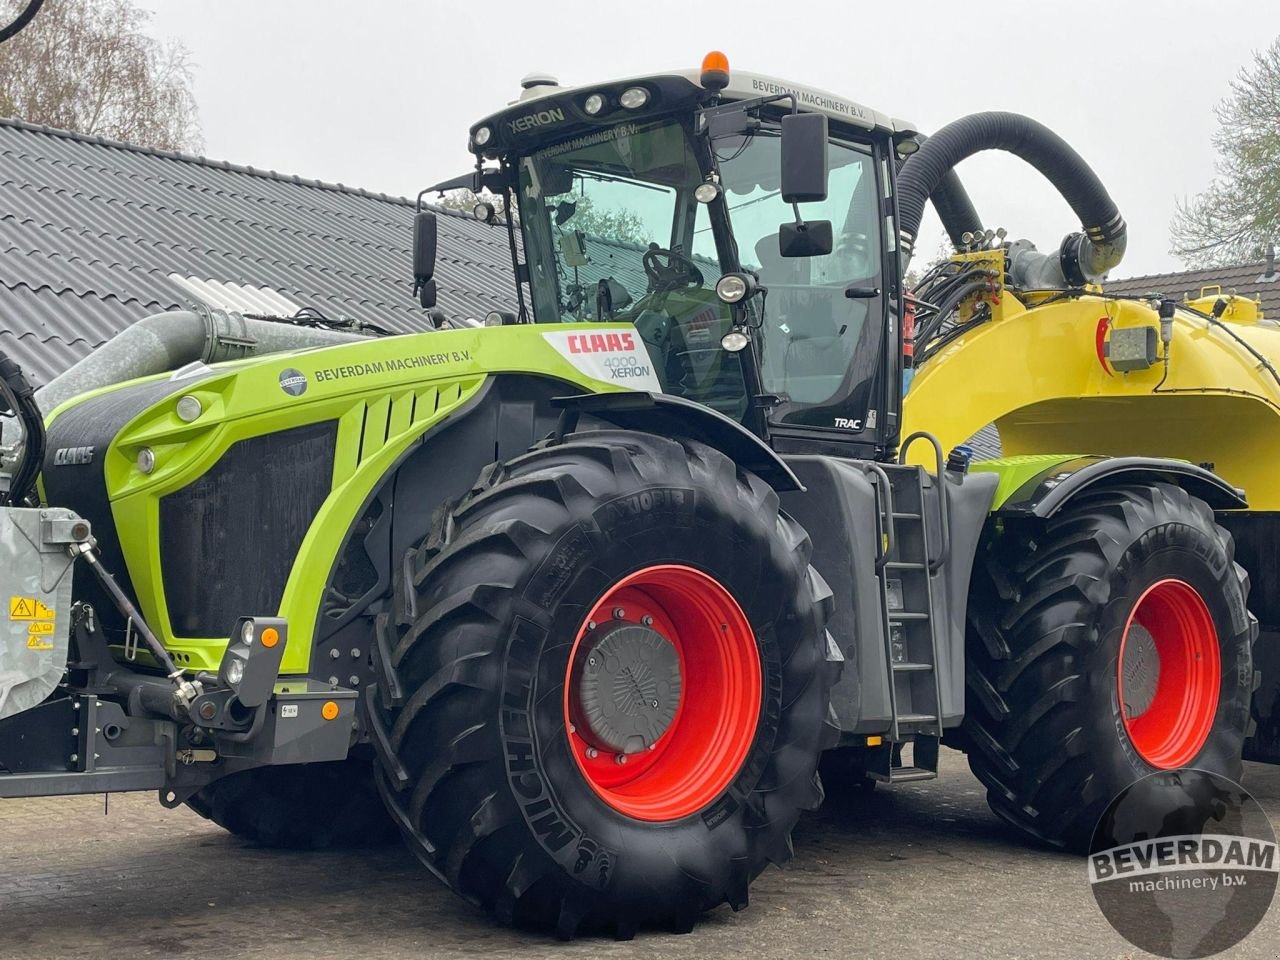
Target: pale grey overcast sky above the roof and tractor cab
380	94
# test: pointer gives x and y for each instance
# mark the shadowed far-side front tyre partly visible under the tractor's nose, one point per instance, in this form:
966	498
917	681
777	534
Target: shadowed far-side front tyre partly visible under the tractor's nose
300	807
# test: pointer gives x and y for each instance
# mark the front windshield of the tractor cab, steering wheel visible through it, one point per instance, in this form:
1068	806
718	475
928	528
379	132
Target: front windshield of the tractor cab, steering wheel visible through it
609	226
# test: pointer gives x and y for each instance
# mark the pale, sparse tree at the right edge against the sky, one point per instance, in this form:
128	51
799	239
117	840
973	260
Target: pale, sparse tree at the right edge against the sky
1233	221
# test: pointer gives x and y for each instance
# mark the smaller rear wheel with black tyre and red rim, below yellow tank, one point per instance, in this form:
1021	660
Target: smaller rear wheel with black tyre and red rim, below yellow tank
1053	606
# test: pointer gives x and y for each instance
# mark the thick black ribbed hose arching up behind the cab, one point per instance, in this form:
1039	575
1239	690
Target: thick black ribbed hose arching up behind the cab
1082	258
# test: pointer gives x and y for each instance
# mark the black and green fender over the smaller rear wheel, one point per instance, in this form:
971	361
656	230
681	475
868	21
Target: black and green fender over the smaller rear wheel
1040	487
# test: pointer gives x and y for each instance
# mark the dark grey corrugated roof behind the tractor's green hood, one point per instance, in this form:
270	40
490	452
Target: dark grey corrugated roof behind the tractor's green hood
90	230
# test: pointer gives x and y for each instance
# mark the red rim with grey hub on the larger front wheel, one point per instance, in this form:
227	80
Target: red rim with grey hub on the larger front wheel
662	693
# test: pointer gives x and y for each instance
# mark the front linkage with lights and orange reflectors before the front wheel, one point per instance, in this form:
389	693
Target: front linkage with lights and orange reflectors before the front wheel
143	725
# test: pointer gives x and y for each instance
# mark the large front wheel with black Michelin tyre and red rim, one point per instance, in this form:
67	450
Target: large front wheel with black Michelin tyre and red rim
487	776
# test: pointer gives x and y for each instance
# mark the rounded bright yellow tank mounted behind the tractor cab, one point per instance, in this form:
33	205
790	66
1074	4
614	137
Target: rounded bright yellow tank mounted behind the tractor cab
1092	374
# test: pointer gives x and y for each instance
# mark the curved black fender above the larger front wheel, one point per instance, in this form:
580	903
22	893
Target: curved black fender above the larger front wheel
676	417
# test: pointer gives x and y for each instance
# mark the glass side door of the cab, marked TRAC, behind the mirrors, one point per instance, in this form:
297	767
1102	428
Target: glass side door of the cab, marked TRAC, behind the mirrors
817	351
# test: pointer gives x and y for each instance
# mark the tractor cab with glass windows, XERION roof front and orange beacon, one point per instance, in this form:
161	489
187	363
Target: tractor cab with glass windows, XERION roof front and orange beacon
744	226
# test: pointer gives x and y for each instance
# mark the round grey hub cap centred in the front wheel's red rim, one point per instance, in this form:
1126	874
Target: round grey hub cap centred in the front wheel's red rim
630	688
